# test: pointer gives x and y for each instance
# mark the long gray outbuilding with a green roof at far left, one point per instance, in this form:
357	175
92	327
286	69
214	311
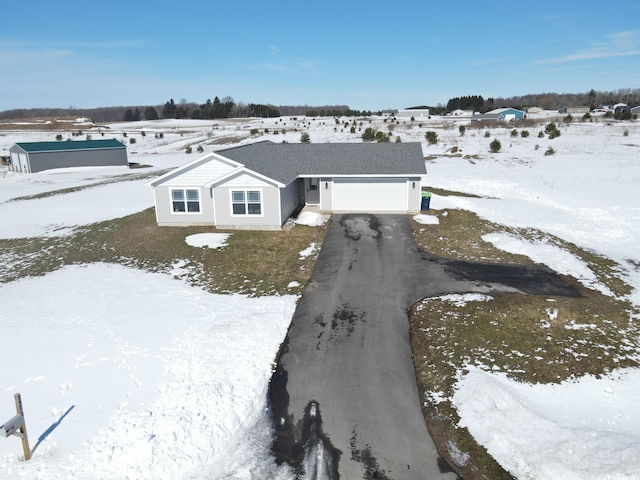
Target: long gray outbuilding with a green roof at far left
32	157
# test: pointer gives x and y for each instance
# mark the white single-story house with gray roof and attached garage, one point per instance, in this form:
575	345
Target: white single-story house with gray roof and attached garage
260	185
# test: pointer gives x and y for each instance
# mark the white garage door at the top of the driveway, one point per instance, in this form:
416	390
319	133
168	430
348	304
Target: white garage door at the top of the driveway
370	195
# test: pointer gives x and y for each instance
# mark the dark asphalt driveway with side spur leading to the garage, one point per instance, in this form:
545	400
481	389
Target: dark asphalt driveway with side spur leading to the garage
344	398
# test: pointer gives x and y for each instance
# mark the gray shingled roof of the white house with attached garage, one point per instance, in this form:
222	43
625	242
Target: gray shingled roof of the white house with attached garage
285	162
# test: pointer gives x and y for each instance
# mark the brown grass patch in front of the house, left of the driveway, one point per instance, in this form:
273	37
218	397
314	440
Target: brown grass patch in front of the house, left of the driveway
253	262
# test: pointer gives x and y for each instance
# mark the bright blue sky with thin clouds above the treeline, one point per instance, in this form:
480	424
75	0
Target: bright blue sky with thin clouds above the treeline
369	55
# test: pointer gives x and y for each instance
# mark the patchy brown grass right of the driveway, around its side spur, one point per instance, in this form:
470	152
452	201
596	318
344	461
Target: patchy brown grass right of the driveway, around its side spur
592	334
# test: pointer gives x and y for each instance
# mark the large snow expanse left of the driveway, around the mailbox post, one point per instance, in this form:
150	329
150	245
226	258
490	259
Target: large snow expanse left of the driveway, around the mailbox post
148	377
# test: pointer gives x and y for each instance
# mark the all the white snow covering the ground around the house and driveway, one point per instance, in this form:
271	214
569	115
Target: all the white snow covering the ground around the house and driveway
131	374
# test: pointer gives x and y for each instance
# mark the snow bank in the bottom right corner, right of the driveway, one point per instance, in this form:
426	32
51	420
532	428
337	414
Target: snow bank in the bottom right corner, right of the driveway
574	430
